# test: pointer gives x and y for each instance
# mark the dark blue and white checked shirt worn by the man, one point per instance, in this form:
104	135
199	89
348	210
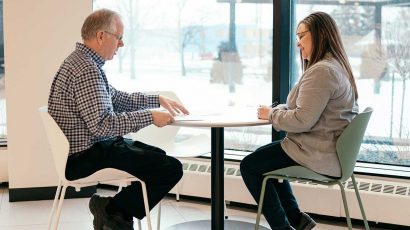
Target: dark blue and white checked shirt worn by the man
88	109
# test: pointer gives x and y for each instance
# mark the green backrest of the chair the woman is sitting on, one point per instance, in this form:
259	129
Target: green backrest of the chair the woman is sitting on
348	144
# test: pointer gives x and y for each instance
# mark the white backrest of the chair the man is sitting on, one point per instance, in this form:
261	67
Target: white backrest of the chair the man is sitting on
57	140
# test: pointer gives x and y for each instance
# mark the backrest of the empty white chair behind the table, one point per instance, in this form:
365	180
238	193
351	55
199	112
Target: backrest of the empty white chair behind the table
153	135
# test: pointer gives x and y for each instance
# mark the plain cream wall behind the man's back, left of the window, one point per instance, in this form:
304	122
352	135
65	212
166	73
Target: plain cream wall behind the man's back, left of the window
38	36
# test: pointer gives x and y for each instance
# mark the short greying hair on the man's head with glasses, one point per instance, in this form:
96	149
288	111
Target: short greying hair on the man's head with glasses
99	20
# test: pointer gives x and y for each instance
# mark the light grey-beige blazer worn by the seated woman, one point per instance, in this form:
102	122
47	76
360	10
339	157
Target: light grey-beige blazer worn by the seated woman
316	112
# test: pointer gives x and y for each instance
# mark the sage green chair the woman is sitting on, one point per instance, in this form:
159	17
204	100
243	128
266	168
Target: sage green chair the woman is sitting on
347	147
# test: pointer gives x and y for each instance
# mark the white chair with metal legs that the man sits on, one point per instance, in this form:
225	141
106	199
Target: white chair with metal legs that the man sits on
60	147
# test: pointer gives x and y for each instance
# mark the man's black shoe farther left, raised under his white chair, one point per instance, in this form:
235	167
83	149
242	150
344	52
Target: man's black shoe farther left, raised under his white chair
97	207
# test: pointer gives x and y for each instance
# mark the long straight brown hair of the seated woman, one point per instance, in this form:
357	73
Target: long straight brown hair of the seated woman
326	38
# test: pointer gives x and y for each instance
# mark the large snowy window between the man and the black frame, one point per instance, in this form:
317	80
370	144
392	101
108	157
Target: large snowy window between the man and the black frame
213	54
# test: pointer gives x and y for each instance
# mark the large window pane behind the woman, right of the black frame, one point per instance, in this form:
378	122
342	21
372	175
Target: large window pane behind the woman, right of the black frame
377	40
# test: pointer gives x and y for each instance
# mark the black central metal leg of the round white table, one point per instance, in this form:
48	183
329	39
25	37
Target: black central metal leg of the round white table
217	177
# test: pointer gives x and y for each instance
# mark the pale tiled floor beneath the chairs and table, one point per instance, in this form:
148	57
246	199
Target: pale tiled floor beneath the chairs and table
75	215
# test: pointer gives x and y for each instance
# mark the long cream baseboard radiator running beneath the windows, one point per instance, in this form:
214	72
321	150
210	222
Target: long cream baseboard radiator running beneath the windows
384	201
